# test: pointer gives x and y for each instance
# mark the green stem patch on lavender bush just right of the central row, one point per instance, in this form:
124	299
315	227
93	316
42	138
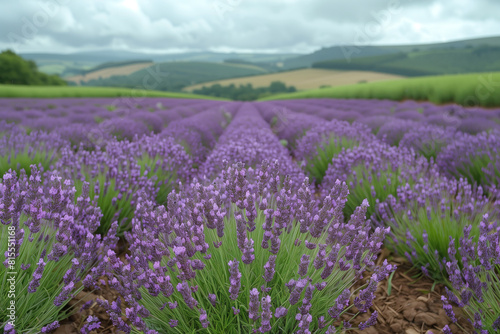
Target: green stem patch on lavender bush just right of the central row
318	164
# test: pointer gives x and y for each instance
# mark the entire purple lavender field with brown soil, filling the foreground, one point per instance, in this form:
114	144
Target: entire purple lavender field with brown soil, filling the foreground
292	216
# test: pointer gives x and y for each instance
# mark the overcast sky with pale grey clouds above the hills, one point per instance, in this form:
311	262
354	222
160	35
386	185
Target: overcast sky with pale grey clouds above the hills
238	25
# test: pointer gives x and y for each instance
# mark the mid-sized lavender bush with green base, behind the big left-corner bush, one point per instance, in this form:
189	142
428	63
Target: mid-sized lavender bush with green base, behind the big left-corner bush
115	180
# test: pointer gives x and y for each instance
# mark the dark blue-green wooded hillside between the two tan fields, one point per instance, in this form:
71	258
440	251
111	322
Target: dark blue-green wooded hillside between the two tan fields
173	76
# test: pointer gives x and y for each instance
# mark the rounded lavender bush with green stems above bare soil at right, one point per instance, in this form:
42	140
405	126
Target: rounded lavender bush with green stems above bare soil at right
423	218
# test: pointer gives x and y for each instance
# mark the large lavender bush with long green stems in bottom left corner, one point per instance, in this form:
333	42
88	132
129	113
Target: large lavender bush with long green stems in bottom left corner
47	248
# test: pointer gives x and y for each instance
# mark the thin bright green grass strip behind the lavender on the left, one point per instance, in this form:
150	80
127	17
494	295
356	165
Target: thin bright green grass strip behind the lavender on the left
71	91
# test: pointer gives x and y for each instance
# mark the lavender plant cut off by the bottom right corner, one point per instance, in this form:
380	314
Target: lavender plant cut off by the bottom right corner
476	285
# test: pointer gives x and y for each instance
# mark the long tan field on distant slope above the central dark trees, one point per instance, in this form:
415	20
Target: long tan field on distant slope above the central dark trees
303	79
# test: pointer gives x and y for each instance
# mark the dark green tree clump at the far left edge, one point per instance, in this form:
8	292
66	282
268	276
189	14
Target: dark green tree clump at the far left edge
17	71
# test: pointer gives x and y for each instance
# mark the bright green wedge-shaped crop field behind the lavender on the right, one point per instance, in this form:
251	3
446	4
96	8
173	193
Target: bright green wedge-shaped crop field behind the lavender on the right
479	89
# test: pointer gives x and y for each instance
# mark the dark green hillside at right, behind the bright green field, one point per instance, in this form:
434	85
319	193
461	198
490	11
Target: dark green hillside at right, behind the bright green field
427	62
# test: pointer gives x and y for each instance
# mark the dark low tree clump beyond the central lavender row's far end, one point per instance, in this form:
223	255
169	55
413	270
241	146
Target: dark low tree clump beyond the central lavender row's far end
244	92
